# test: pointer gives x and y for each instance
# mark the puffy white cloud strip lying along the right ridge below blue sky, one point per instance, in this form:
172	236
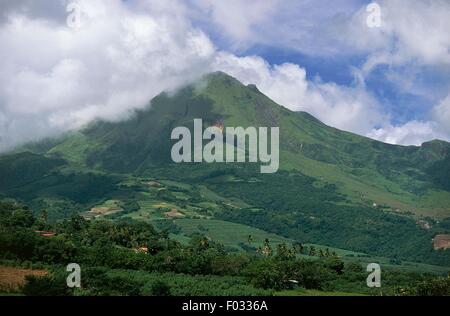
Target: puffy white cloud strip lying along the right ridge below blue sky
351	108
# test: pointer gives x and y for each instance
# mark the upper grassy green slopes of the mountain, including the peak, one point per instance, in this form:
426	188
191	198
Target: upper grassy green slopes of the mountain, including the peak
410	179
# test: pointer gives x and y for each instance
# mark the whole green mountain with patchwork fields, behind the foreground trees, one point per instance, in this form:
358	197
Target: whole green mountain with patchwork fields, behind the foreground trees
333	187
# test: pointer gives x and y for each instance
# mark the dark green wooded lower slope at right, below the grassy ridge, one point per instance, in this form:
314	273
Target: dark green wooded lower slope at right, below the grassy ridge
290	205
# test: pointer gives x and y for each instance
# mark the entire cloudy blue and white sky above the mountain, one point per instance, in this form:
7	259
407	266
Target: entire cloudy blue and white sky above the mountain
65	63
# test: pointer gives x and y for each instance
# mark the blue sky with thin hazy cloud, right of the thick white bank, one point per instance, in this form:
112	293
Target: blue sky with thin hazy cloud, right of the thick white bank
408	84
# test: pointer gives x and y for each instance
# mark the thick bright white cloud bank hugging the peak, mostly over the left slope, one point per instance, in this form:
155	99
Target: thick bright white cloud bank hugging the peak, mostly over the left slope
56	78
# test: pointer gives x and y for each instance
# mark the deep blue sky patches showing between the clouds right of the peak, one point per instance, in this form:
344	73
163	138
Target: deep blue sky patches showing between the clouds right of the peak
432	83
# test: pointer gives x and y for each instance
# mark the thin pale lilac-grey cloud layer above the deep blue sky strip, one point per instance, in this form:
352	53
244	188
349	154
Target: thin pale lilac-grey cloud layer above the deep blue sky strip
411	30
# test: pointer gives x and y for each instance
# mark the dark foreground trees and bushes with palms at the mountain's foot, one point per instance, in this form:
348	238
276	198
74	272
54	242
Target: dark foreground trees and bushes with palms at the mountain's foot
111	264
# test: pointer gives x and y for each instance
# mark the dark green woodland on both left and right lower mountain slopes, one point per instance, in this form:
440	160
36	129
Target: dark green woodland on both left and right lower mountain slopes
290	204
